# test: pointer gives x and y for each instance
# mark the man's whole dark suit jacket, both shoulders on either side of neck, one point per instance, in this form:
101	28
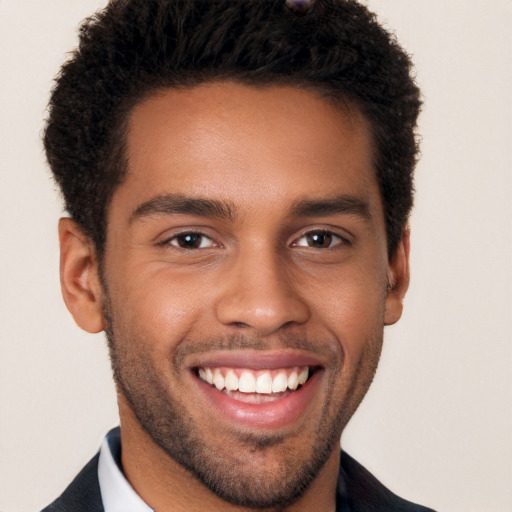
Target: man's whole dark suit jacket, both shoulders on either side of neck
358	491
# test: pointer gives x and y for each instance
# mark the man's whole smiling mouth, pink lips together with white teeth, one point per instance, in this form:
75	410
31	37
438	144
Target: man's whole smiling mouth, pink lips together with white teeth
259	391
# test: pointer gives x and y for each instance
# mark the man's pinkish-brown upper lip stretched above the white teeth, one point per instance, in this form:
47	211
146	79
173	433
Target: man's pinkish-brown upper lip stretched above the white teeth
255	359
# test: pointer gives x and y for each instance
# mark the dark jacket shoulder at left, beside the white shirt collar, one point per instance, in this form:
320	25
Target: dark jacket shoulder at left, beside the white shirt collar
83	494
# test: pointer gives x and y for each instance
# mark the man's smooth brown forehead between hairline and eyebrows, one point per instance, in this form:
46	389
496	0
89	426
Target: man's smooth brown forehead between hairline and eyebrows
246	144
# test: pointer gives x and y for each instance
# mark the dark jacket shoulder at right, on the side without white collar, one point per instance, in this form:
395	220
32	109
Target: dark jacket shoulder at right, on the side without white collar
365	493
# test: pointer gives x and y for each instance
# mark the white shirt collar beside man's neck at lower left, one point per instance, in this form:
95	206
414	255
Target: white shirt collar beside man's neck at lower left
116	492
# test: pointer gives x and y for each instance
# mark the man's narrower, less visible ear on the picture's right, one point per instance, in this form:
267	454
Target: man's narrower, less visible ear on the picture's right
398	280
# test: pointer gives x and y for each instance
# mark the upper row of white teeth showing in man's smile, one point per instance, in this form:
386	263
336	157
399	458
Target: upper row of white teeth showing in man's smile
250	381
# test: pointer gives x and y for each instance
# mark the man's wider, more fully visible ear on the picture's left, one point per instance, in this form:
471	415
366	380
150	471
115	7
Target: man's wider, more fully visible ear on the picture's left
79	277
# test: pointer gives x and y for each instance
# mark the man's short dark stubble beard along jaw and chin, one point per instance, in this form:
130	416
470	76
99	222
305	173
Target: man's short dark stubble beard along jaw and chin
226	473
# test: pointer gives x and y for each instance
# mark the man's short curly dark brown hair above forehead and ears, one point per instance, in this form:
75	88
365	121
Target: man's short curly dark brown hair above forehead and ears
134	48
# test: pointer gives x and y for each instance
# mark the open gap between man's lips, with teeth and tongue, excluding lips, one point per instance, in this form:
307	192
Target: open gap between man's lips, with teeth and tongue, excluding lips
255	386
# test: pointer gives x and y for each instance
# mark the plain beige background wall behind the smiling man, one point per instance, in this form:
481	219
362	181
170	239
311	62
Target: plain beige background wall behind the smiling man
437	424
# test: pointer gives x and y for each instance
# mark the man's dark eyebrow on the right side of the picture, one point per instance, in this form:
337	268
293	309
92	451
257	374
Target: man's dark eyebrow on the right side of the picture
344	204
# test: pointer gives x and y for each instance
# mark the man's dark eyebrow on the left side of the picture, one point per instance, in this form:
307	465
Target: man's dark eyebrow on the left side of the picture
169	204
